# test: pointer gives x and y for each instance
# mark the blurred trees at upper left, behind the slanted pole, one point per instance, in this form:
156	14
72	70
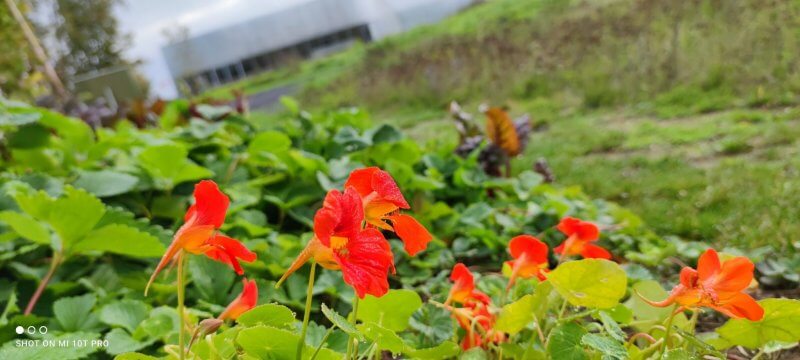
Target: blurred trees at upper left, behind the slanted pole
80	36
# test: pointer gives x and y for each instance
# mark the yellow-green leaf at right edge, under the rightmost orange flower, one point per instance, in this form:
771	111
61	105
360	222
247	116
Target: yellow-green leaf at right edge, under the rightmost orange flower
781	323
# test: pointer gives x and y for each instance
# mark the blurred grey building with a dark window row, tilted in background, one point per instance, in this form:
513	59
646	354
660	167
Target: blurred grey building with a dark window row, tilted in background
306	30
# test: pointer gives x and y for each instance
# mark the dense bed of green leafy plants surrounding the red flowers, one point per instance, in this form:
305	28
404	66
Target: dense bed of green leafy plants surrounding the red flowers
86	213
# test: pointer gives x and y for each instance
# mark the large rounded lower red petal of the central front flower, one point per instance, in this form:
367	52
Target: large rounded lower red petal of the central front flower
366	262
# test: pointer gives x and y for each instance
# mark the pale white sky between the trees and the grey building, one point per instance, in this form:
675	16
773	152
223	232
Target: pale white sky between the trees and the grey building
145	21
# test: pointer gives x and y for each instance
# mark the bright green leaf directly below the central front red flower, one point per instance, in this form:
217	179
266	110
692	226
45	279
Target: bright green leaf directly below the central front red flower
392	310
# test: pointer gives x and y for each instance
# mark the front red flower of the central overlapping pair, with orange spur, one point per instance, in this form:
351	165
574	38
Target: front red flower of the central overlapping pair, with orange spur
340	243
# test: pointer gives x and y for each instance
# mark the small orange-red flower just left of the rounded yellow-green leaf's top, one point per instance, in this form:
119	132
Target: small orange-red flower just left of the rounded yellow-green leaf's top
530	258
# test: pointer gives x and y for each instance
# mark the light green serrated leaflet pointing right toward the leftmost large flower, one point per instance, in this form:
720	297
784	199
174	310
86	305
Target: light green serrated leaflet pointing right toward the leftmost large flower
123	240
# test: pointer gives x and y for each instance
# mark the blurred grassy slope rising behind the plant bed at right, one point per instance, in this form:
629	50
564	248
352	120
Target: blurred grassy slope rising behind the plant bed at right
681	110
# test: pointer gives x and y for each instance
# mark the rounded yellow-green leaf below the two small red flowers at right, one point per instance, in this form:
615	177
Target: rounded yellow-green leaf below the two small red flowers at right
593	283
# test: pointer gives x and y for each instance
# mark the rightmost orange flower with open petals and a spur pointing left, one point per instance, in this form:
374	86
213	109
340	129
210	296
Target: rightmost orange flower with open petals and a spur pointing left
715	285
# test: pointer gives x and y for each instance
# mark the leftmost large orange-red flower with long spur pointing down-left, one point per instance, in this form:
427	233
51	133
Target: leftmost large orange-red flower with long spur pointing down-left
198	235
